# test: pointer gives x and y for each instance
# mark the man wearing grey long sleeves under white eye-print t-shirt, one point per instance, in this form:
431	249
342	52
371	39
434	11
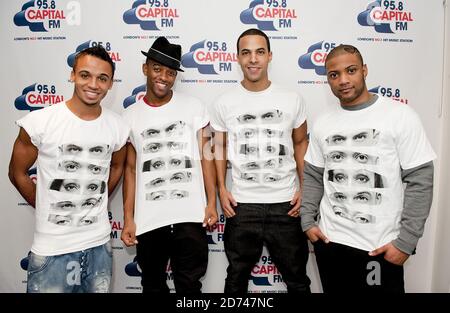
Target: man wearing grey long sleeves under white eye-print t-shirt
364	225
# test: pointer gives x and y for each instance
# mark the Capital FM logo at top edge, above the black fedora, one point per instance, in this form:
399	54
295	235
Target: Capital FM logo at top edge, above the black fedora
152	14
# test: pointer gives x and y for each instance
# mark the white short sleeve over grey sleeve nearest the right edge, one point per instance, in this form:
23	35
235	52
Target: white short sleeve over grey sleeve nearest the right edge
413	146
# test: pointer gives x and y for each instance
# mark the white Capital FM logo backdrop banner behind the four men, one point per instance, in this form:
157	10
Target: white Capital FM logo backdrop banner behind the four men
401	42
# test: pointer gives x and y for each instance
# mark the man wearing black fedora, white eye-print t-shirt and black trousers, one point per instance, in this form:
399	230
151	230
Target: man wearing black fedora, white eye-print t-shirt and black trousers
169	187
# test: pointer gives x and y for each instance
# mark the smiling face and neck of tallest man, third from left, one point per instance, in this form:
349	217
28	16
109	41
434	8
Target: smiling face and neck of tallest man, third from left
254	58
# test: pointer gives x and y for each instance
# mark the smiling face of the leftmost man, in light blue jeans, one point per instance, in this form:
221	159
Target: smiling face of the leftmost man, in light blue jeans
92	77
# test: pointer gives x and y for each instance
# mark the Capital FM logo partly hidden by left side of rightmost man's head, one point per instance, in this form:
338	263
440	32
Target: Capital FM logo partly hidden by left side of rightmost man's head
314	58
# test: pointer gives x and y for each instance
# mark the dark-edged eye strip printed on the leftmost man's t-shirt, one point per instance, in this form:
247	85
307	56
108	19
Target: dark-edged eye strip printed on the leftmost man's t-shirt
80	187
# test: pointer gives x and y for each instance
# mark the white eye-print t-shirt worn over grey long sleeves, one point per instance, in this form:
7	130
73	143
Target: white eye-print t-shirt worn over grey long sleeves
363	152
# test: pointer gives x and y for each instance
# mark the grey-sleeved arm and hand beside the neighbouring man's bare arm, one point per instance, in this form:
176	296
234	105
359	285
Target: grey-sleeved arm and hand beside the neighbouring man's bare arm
312	195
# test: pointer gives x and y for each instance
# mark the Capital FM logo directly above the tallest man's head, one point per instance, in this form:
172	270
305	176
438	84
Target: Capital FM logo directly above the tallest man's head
270	15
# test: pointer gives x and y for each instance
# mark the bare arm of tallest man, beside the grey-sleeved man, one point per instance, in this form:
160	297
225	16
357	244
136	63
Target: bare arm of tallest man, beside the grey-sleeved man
300	142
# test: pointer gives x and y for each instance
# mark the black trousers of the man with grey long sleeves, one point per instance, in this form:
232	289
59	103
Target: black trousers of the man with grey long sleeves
350	270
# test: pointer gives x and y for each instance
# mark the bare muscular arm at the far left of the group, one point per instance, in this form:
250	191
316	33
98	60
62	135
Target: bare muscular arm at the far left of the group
23	157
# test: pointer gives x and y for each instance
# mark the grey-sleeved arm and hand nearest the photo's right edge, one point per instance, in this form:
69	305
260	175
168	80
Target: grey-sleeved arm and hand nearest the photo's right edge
418	196
